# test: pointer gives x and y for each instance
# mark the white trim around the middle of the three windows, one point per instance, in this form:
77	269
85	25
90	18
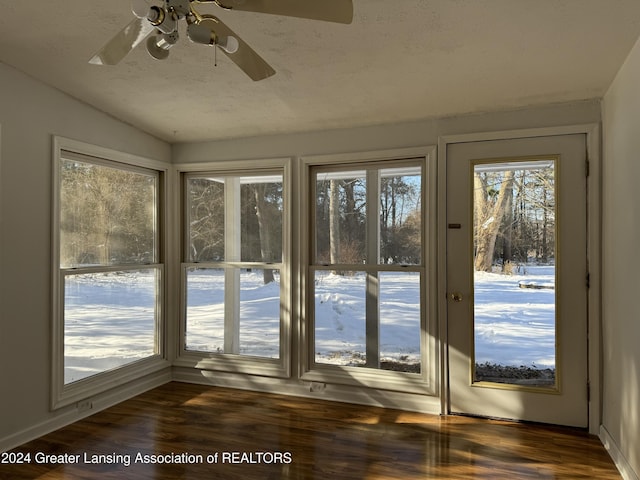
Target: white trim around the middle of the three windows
267	367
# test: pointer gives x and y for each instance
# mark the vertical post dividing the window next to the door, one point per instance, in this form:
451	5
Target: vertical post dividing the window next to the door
372	281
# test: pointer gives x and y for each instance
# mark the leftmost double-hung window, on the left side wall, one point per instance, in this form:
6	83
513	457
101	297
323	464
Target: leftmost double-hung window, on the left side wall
108	286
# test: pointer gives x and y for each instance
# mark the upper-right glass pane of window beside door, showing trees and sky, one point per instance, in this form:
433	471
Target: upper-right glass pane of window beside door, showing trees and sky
400	216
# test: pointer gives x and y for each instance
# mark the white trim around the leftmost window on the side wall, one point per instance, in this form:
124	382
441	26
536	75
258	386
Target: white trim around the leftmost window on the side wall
61	394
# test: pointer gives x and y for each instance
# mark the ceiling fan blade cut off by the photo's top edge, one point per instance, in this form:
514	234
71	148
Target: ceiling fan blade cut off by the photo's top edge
339	11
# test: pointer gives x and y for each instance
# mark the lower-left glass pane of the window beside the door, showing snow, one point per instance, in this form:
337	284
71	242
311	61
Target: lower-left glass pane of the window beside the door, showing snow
340	318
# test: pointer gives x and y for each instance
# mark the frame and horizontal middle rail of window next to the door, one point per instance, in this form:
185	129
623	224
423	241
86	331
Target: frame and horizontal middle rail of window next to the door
426	382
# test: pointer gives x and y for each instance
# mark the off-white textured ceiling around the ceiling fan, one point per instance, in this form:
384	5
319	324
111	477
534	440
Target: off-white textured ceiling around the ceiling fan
400	60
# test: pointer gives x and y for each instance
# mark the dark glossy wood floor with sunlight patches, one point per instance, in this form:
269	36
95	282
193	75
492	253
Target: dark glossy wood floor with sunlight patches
258	436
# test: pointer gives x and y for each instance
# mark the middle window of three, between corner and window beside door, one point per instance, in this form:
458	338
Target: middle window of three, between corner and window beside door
235	309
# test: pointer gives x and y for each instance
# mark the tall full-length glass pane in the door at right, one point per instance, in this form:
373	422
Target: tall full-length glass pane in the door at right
514	210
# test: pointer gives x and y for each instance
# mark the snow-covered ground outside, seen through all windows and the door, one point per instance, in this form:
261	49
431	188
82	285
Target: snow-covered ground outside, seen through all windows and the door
514	326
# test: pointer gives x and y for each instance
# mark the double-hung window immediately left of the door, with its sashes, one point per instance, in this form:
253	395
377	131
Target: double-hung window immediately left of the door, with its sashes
367	303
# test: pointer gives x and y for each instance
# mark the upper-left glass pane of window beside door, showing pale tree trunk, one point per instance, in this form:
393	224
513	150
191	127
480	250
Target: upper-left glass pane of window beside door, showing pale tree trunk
340	233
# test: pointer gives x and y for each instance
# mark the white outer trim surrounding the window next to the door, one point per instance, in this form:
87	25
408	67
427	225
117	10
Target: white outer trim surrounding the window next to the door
427	382
